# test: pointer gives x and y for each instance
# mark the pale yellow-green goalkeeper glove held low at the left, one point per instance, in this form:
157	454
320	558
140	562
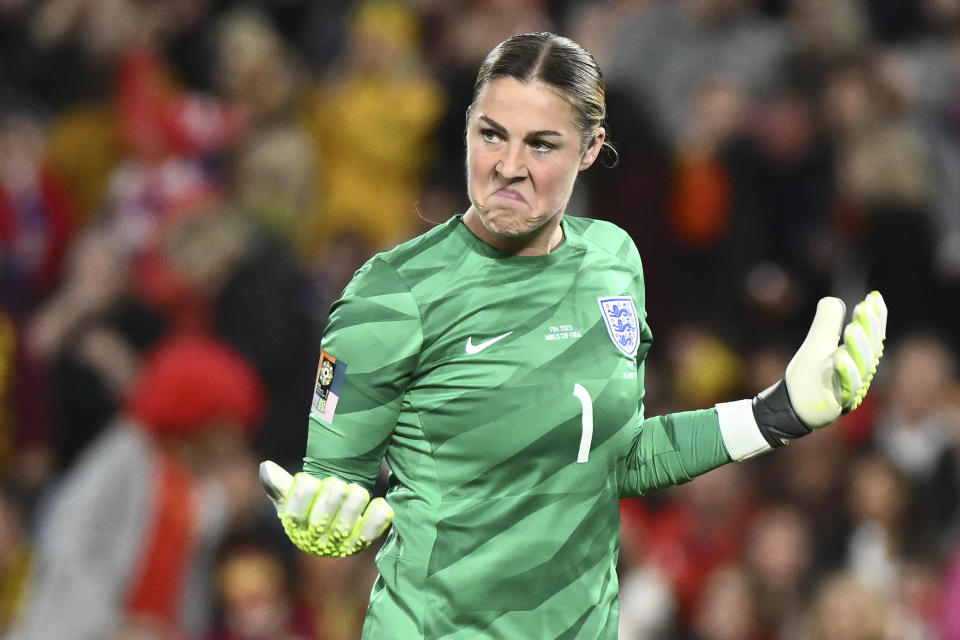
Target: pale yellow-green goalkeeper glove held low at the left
325	517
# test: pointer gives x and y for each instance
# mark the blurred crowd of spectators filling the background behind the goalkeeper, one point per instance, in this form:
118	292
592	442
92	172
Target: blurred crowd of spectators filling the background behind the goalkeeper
186	186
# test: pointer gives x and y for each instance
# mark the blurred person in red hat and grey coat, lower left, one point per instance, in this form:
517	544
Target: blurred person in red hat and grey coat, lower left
122	543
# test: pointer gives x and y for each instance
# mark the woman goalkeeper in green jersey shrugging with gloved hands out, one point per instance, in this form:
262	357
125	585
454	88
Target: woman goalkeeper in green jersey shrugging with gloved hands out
496	362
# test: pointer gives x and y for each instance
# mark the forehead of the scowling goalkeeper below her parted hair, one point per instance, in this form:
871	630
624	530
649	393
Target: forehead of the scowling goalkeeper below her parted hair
525	106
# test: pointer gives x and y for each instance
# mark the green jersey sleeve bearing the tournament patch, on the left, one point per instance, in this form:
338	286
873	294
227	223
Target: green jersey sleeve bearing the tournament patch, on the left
368	354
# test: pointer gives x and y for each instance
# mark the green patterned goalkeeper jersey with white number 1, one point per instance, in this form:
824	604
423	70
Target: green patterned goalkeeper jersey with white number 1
506	394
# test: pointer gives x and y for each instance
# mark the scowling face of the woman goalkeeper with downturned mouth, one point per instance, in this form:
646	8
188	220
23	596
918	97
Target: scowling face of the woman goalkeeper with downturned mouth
523	155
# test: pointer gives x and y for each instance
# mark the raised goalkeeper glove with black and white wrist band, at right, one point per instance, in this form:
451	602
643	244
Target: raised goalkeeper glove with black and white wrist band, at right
822	381
